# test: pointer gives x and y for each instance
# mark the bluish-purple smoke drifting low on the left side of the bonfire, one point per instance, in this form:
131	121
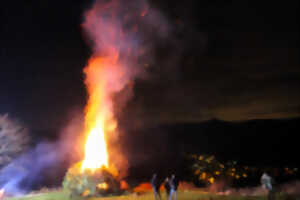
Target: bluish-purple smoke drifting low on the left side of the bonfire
43	163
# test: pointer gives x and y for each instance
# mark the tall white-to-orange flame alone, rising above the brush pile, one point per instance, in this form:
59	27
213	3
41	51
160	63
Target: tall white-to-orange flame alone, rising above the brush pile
99	116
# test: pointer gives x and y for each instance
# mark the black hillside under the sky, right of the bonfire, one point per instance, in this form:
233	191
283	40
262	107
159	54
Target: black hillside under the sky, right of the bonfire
245	142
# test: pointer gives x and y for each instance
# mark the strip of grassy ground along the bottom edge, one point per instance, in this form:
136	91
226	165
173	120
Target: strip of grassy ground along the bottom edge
187	195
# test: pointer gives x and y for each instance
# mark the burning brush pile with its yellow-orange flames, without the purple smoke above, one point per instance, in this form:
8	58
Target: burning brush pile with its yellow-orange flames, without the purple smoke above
95	175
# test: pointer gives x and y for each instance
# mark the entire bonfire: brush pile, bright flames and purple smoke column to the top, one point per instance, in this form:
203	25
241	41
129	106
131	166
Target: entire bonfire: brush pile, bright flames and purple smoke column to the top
111	69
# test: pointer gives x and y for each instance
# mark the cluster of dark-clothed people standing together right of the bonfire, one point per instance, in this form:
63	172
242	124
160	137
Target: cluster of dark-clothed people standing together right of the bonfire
170	184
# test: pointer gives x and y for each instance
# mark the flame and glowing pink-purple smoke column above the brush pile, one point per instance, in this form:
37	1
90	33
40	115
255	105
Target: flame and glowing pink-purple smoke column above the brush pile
112	28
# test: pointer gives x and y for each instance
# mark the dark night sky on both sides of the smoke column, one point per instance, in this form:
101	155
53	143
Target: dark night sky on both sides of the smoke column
229	61
